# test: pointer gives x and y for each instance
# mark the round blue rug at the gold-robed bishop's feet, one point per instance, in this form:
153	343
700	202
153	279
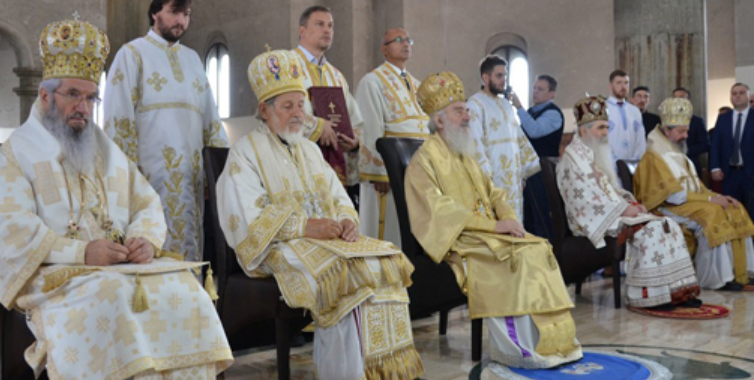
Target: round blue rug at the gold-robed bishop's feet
593	366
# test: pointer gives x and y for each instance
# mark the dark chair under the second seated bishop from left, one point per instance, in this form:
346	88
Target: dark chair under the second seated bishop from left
244	300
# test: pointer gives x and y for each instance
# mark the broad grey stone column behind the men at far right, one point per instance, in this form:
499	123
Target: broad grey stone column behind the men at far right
662	44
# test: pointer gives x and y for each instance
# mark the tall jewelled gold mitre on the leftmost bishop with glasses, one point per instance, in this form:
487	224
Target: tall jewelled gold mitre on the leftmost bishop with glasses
73	49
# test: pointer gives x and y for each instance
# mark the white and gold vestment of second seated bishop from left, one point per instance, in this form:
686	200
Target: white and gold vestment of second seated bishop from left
266	194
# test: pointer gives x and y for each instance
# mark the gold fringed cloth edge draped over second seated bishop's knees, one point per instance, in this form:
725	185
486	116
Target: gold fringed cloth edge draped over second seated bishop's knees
347	276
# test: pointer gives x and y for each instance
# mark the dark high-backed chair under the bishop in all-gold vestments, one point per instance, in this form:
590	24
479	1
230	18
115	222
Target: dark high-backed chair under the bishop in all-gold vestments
434	286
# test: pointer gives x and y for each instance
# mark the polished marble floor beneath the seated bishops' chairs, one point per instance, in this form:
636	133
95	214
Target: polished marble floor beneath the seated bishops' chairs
691	349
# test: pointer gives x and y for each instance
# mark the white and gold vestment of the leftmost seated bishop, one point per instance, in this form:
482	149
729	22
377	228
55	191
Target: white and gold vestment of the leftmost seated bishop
82	316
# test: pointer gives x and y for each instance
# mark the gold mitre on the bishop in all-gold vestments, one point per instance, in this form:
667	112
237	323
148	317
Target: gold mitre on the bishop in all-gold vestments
439	90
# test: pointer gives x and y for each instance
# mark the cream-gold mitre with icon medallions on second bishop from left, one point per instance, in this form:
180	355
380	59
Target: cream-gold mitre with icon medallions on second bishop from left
274	73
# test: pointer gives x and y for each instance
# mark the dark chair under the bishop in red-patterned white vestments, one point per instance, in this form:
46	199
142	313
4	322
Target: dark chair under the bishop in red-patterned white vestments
576	255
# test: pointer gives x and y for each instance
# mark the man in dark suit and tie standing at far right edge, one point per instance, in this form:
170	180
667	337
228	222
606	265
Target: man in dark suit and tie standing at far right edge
729	161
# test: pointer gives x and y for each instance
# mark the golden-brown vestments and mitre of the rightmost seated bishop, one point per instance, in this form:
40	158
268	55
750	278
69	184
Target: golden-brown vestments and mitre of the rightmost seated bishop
666	182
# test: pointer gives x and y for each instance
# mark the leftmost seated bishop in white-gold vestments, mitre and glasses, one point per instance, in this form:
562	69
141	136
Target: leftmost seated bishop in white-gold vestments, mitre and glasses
80	231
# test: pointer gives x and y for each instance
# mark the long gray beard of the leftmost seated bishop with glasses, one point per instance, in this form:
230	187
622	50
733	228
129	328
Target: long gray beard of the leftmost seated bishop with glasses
79	148
